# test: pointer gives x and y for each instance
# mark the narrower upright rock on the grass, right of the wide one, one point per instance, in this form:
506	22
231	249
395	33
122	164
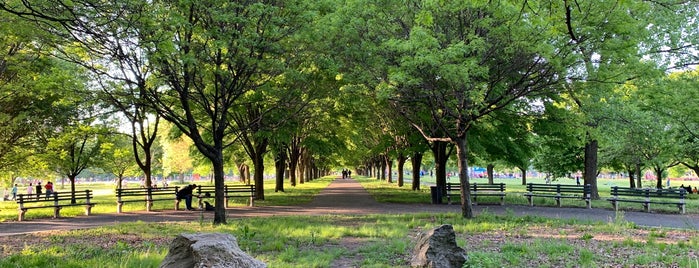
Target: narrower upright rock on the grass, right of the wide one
437	248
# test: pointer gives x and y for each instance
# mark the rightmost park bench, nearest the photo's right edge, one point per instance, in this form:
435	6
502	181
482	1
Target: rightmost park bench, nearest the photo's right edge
648	196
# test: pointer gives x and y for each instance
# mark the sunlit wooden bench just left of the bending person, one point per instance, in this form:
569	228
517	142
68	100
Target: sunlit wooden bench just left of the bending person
147	195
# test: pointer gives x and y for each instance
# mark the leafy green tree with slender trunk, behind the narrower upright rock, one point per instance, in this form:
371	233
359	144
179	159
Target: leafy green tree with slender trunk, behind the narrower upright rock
461	62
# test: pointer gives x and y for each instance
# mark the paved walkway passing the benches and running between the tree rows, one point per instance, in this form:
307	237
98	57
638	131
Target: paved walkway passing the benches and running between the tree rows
344	197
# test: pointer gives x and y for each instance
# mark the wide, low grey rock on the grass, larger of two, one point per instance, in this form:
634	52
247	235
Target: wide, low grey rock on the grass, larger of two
209	250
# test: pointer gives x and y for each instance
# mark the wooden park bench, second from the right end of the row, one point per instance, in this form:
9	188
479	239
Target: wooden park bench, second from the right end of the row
558	192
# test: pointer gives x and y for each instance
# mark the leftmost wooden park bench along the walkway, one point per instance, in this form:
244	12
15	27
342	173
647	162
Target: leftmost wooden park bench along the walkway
57	200
